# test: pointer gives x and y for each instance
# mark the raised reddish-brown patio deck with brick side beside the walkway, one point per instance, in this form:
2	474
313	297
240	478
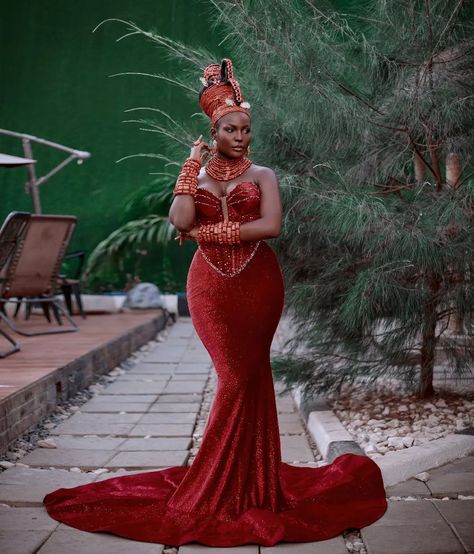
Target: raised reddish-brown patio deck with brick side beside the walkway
51	368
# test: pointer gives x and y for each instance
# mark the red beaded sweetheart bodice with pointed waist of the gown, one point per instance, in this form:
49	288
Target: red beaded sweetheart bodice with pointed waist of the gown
243	205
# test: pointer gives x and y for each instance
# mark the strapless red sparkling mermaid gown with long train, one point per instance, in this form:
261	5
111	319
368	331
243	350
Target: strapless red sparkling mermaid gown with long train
237	490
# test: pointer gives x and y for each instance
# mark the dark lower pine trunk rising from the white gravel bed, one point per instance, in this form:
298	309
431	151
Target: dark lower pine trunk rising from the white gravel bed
426	389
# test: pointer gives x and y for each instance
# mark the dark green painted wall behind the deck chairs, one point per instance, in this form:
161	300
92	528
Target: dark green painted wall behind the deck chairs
55	84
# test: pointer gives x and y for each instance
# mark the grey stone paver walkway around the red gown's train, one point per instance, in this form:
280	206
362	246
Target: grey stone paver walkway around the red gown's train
148	419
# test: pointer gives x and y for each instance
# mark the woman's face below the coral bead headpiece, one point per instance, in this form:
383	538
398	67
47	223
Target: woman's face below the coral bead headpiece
232	134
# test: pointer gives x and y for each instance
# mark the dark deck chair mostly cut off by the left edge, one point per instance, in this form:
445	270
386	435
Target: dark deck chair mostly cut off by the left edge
11	233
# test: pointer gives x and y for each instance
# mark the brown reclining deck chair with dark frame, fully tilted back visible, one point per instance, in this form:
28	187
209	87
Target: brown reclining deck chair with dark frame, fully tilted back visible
32	271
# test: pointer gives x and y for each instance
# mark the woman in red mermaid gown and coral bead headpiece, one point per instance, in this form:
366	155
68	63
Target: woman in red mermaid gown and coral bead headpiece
237	490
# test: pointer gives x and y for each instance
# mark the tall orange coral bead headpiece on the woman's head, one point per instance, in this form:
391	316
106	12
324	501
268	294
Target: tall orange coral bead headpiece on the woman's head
221	94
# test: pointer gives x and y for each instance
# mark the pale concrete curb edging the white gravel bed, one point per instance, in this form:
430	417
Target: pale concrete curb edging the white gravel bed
333	439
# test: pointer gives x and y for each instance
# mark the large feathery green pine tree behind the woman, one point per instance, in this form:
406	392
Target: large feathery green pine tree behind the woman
367	117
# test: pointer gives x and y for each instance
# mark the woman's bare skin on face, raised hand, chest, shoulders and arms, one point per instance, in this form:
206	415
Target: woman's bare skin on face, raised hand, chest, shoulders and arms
232	134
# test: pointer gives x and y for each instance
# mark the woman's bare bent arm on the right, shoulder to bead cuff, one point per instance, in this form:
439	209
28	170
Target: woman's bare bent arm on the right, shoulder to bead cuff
269	224
